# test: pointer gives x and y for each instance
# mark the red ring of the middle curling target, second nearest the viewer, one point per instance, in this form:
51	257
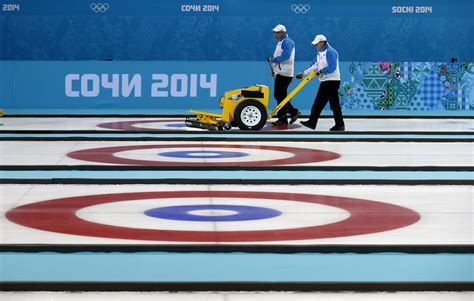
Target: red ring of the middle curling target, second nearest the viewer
106	155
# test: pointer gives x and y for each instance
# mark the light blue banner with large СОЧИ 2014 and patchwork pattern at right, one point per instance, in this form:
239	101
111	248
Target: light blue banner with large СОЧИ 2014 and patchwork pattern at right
167	87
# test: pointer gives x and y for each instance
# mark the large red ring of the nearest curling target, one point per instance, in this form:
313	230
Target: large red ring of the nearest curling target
366	217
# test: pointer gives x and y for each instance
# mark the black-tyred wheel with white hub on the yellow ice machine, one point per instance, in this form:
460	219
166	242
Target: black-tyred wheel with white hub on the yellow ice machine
250	114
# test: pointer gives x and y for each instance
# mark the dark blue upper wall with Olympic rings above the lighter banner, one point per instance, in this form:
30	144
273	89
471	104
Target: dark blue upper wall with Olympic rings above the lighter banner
364	30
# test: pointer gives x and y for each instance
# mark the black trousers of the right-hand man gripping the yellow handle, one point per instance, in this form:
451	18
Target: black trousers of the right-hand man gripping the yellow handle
328	91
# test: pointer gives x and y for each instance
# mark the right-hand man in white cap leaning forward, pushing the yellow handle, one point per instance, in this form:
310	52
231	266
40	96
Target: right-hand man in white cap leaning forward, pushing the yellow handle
326	65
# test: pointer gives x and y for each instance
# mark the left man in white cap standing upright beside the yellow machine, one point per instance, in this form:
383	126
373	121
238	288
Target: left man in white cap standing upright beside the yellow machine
283	66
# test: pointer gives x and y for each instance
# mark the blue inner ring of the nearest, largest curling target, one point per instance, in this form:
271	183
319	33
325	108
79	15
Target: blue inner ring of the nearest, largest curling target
181	213
